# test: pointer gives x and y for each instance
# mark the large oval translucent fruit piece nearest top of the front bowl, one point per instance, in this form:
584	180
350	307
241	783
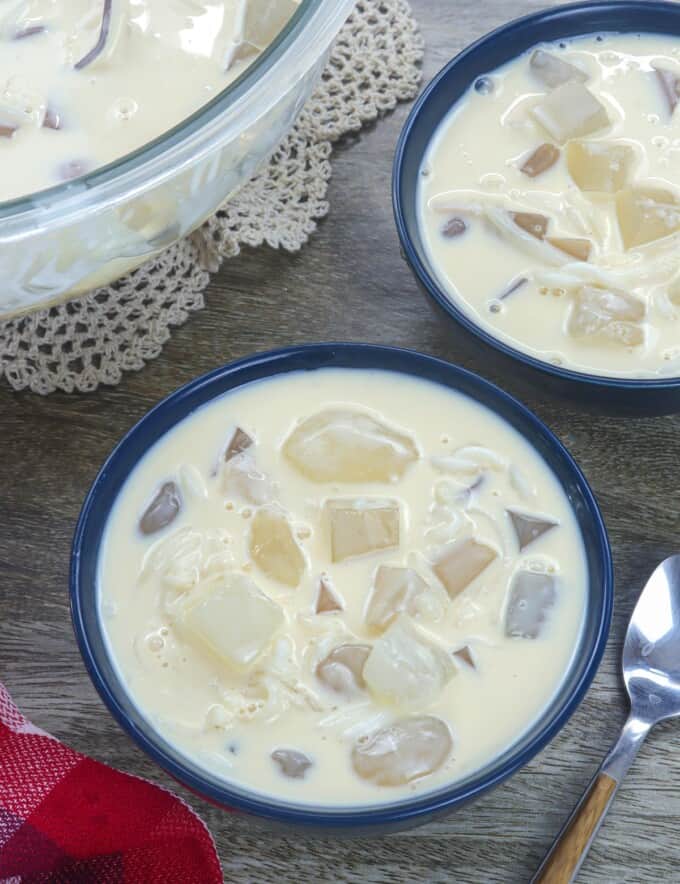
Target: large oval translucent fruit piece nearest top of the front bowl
349	446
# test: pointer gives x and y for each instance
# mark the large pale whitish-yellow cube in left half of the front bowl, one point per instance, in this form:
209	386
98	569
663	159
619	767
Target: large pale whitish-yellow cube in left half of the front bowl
232	618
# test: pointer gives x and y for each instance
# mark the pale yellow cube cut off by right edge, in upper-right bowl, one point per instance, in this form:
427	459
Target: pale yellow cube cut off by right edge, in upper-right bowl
646	215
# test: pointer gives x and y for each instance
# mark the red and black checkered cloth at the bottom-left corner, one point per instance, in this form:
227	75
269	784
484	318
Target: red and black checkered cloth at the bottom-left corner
65	819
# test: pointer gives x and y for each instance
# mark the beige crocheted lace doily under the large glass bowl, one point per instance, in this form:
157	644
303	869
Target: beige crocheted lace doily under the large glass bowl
81	344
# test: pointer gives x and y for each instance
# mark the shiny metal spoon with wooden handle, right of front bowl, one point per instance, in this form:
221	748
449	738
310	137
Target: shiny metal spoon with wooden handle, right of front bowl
651	671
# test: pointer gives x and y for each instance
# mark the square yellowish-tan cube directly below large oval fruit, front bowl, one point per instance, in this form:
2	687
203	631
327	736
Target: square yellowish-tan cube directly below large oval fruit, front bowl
362	526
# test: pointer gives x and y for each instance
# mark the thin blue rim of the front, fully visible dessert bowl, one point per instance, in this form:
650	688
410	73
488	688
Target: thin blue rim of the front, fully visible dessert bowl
325	355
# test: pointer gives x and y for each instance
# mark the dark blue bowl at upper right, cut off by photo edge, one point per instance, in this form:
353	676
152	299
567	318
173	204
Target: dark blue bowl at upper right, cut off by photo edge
619	395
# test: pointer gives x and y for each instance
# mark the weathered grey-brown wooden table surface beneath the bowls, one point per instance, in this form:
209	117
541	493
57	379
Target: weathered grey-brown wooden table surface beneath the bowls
348	283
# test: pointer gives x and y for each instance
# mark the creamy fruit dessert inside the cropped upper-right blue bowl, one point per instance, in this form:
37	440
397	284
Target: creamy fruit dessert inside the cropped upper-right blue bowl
549	201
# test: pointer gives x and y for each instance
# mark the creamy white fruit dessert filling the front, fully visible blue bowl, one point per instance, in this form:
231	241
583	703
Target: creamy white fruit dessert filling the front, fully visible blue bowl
342	586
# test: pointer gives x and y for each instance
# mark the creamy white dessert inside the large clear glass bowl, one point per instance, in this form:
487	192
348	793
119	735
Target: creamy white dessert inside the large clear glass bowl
83	83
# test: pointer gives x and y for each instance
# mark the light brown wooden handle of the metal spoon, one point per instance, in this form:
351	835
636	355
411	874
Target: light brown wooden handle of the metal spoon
572	844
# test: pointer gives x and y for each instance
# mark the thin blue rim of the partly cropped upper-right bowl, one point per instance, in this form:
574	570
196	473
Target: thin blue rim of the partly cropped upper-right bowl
428	280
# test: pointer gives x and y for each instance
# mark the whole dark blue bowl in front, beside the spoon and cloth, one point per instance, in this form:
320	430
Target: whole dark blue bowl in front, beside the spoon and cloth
162	418
